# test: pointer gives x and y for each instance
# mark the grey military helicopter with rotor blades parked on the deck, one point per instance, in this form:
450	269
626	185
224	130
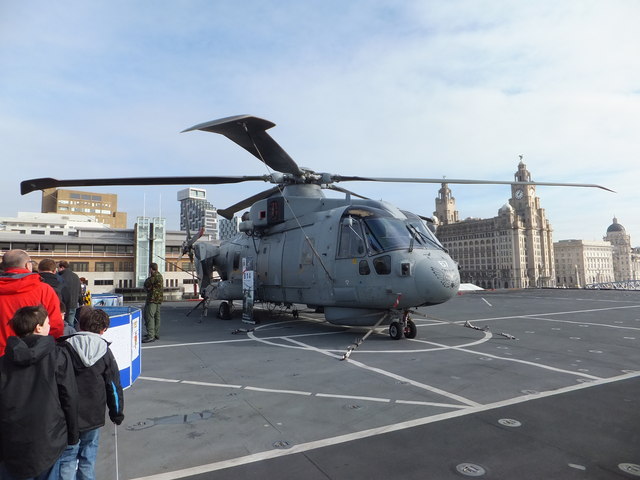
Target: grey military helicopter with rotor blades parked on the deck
361	262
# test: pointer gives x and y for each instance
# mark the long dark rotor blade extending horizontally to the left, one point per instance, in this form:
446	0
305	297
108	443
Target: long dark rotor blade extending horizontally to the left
28	186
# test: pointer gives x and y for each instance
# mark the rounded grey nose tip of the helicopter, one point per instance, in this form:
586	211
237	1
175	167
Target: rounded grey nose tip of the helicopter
437	280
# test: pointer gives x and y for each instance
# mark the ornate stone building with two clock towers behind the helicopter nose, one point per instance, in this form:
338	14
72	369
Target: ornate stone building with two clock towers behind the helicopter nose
512	250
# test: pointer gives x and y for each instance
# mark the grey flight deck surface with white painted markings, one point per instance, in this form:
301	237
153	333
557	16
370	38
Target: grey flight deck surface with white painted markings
551	389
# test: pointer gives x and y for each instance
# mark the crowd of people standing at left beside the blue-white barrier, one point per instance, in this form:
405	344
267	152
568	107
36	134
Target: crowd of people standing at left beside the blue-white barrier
57	373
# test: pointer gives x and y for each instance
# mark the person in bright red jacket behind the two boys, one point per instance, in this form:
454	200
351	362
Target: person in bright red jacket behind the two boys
21	287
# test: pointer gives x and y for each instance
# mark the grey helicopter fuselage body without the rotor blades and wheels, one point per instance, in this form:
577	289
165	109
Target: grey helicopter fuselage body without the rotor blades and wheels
354	258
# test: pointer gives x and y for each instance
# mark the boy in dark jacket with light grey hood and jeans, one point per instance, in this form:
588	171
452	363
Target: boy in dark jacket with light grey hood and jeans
98	379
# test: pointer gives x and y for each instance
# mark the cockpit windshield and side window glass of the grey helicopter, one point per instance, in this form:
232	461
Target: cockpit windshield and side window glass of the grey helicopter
383	232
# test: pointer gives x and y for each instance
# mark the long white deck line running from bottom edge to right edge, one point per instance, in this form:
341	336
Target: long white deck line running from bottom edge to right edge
305	447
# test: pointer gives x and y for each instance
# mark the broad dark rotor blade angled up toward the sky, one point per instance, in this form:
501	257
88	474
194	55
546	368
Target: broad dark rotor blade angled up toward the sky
250	133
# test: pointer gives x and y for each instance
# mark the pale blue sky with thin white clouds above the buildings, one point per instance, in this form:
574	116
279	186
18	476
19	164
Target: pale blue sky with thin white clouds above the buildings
424	88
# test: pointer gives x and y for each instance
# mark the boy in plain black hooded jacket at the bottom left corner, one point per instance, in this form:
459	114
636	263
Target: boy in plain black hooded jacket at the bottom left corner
38	399
